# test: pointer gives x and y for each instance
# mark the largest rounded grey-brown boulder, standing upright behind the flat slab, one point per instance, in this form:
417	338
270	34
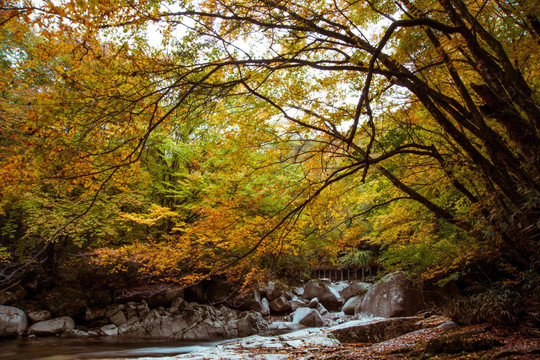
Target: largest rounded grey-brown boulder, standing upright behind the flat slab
392	296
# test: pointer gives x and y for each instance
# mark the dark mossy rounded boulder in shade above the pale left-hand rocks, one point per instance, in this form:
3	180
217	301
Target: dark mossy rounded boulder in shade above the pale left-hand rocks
65	301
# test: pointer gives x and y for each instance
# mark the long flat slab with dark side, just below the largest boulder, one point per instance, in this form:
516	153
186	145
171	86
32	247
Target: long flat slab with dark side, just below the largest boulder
372	331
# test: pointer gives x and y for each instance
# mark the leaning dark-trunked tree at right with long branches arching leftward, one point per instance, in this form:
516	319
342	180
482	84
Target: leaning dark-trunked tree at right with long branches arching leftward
447	88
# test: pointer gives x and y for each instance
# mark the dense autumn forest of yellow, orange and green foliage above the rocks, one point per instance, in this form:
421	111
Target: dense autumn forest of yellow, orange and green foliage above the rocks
174	141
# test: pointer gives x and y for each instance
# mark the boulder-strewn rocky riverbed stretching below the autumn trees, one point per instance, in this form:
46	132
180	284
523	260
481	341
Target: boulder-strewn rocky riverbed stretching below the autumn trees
345	320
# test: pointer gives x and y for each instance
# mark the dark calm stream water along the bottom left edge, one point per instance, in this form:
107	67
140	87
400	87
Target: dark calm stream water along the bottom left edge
57	348
